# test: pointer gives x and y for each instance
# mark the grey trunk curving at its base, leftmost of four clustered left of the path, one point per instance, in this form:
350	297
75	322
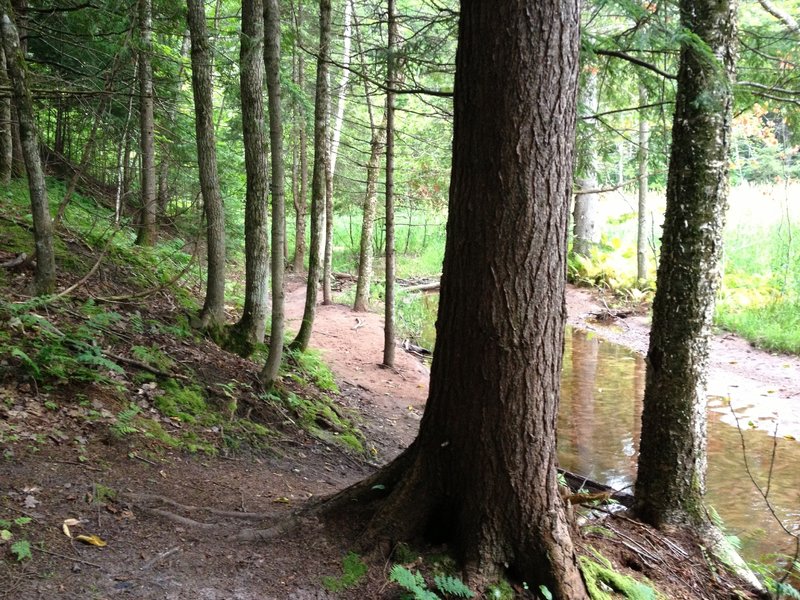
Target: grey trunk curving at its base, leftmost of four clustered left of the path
212	316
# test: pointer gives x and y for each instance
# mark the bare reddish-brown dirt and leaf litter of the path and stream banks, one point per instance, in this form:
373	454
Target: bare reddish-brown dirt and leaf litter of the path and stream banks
179	525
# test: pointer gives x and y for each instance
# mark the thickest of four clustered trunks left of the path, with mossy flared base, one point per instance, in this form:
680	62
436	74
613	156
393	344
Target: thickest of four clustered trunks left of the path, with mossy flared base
250	328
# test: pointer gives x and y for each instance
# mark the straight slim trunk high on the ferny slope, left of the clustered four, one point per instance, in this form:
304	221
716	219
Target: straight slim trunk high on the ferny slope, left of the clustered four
146	235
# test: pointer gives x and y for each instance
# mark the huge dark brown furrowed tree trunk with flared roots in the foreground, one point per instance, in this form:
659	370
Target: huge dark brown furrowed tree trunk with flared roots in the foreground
482	473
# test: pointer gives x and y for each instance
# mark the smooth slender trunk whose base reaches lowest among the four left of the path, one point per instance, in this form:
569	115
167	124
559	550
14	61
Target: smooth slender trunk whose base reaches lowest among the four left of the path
272	59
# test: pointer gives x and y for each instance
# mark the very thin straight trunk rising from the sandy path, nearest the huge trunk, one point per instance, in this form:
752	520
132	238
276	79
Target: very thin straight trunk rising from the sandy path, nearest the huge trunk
391	81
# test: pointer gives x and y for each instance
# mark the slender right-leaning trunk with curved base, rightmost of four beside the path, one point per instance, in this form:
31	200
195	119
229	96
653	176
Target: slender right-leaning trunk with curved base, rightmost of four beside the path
321	102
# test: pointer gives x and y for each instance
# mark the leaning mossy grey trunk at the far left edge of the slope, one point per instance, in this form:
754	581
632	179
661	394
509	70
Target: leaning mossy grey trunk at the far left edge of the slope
45	273
